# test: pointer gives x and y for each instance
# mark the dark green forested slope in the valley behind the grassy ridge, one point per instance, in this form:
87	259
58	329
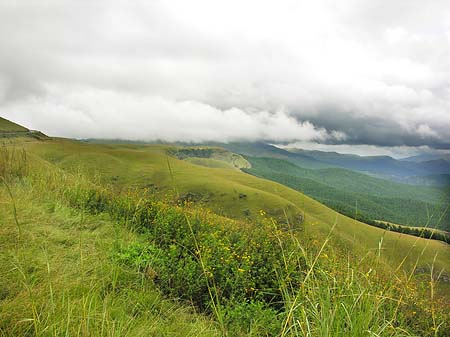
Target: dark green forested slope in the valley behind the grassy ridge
350	192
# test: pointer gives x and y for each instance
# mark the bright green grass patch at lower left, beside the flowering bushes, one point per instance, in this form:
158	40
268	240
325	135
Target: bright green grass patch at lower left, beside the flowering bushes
59	277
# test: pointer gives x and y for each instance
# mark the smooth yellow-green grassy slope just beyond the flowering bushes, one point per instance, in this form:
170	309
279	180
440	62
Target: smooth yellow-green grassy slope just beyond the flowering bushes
226	191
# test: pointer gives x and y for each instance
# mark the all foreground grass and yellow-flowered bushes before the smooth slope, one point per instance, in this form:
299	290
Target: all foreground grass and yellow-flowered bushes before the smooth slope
84	258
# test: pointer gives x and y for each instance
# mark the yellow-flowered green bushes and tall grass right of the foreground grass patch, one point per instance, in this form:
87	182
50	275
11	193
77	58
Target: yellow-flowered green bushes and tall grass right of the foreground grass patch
229	269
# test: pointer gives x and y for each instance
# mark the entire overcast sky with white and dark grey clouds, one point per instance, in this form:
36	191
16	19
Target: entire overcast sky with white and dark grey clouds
364	76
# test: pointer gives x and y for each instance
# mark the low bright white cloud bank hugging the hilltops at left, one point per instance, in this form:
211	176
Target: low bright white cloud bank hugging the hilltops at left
93	113
